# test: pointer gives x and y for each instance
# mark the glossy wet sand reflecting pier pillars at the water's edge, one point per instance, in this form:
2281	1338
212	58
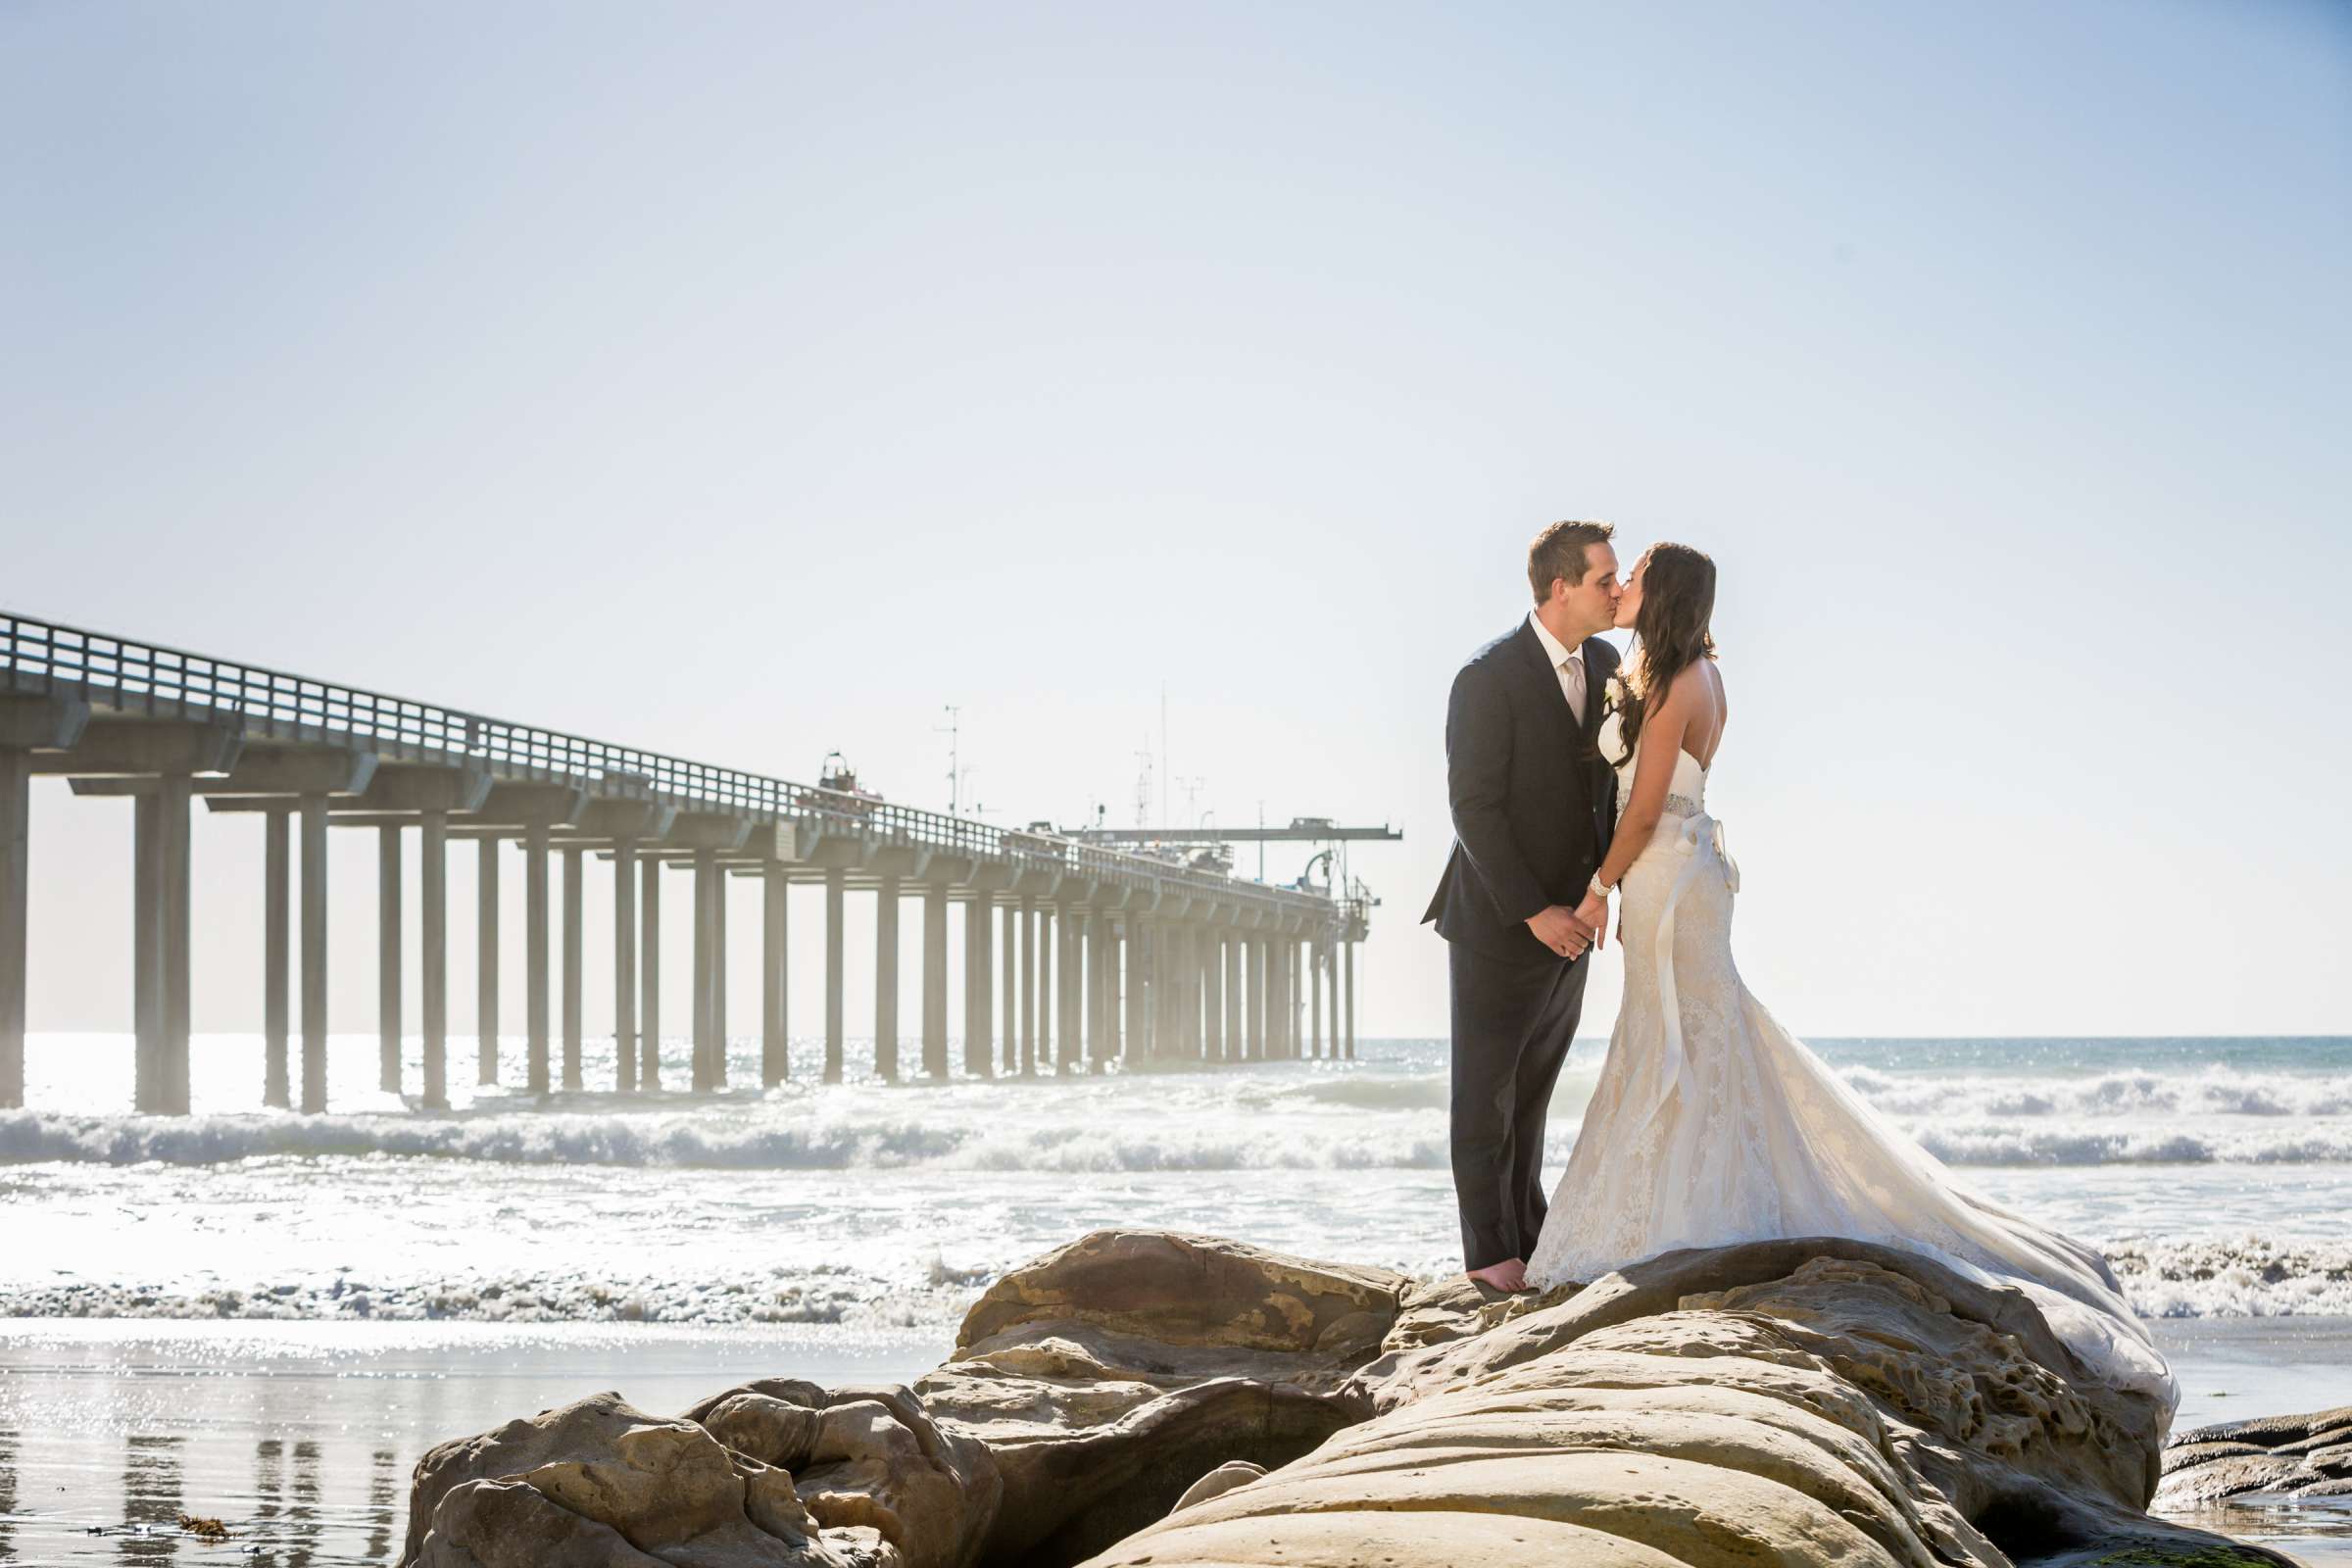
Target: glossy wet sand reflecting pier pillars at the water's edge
300	1438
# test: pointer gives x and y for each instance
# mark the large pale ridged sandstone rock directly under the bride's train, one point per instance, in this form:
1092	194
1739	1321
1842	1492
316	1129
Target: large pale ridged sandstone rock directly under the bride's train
1768	1405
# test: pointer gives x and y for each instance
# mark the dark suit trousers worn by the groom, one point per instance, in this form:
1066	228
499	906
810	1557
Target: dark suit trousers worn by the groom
1514	1024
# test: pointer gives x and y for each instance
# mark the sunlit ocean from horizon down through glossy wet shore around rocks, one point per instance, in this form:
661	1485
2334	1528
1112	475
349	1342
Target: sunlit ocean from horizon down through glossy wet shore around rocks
267	1318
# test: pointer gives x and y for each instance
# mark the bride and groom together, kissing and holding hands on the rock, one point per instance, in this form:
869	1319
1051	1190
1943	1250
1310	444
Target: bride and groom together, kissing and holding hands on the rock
1579	782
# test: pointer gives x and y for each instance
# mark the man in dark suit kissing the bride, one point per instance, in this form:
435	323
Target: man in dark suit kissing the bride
1532	812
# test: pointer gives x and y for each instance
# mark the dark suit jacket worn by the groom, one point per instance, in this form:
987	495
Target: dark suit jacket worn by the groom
1532	798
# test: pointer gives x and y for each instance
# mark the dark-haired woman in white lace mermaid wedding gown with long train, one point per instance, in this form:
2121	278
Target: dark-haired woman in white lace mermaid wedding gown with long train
1711	1123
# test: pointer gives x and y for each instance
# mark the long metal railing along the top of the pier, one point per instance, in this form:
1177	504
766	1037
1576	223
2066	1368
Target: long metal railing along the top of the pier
41	657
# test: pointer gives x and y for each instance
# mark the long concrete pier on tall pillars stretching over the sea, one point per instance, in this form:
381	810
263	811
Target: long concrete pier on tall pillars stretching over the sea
1100	956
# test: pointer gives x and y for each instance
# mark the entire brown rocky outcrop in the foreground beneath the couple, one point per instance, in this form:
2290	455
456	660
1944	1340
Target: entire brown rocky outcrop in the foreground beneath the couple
1144	1398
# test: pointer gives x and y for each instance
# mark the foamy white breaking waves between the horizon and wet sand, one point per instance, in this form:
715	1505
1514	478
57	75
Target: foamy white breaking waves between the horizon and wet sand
2214	1172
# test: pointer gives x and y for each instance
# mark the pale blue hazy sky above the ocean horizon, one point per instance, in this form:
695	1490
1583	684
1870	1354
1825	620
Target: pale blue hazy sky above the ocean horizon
751	382
